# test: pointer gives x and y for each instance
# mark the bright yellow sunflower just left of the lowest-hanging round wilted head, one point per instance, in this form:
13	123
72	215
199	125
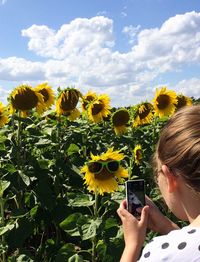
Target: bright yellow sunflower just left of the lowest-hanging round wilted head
99	108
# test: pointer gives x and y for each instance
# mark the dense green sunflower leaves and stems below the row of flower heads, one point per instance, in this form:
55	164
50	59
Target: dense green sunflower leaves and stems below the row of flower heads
47	214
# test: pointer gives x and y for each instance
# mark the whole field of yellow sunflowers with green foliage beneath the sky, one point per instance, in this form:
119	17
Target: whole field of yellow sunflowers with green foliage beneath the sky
63	164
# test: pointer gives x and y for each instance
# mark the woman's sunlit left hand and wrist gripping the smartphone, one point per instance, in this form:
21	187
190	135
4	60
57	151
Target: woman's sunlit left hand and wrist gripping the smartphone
134	231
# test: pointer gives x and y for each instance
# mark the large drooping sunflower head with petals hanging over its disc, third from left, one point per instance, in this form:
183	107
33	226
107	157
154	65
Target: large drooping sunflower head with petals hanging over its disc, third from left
67	100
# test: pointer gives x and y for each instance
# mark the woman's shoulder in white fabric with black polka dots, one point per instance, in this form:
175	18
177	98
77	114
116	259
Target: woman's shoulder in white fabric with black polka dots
178	245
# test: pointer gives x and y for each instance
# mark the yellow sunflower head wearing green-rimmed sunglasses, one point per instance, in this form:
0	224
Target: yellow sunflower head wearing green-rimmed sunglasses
105	181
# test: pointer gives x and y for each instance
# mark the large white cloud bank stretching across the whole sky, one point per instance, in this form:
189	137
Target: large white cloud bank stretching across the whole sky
81	53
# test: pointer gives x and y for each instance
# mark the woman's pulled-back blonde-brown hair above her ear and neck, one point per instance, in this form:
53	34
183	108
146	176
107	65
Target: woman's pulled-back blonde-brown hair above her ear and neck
179	145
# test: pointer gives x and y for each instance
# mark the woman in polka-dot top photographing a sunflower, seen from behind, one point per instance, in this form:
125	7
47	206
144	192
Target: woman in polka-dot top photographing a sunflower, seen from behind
177	171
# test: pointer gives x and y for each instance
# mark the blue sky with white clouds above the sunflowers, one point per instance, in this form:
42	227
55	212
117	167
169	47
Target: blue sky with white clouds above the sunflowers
124	48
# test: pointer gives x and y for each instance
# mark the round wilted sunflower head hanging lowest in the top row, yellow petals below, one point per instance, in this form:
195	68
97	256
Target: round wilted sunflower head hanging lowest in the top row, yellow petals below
120	119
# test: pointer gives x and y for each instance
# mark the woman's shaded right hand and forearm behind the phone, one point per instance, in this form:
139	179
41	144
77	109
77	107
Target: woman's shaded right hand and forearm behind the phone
157	221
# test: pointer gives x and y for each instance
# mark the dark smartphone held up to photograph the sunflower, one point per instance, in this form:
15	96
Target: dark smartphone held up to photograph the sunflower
135	195
